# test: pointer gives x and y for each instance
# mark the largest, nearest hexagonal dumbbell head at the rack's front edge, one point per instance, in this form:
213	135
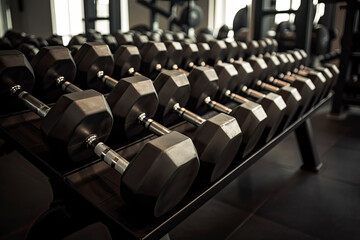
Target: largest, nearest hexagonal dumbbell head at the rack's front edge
161	174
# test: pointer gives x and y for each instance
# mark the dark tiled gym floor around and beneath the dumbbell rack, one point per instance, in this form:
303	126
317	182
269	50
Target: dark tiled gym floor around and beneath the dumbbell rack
273	199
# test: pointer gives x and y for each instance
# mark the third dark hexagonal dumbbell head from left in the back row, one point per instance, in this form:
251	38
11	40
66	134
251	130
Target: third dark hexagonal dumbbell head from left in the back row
90	59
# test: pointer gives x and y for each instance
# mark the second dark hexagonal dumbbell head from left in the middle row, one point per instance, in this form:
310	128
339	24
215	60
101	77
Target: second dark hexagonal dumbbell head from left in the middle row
131	97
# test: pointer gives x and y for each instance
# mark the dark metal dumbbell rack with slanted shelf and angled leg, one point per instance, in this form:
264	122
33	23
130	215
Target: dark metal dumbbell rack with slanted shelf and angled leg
90	192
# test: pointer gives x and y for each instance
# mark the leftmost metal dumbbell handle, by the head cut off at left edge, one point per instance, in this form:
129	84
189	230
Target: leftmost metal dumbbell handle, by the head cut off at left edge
34	104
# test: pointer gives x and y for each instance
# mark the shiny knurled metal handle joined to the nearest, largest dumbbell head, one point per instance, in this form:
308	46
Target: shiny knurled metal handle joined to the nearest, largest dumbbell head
109	156
